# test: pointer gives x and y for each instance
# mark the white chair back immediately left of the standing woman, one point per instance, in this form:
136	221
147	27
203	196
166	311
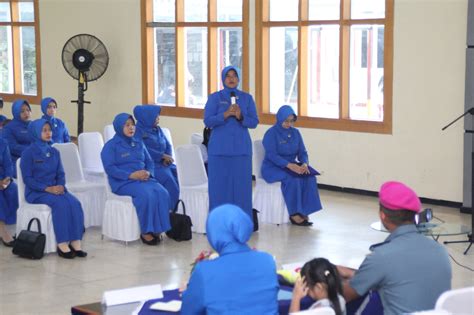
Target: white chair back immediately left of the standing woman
191	171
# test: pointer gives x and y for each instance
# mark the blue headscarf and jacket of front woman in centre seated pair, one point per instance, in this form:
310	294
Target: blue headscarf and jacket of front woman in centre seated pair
121	156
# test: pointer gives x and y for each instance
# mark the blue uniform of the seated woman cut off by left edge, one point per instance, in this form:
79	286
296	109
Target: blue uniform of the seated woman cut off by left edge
8	196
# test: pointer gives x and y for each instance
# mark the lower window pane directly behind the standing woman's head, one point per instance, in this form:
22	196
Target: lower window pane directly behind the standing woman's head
229	50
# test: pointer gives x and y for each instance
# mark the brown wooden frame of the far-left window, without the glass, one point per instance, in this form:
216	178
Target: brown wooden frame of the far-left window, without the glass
16	55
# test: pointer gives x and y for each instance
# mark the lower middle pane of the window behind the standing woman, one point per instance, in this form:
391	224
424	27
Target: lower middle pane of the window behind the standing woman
196	61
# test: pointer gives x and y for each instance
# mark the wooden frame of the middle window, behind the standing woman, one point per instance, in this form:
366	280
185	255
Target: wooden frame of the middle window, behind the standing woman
212	25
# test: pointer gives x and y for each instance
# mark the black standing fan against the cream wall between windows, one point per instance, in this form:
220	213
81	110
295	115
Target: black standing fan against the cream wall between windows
85	58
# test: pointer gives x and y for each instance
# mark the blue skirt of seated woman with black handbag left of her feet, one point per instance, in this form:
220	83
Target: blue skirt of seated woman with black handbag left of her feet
68	217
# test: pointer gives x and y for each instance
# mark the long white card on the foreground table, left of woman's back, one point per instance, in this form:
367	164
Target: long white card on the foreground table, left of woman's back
129	295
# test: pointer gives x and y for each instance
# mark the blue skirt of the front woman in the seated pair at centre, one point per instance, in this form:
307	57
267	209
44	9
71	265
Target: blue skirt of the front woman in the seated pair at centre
152	203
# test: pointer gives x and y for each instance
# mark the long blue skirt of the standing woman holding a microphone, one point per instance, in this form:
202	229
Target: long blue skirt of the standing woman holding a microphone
230	181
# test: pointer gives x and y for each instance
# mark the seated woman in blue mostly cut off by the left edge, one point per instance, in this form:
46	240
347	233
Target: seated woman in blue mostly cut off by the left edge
8	194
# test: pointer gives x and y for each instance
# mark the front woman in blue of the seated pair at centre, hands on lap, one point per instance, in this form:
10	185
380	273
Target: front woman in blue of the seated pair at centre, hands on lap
130	170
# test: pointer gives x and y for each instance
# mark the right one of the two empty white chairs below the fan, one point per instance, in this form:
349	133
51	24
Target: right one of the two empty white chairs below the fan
90	146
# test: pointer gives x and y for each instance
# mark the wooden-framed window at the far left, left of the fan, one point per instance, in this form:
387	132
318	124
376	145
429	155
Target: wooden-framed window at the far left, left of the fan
19	50
